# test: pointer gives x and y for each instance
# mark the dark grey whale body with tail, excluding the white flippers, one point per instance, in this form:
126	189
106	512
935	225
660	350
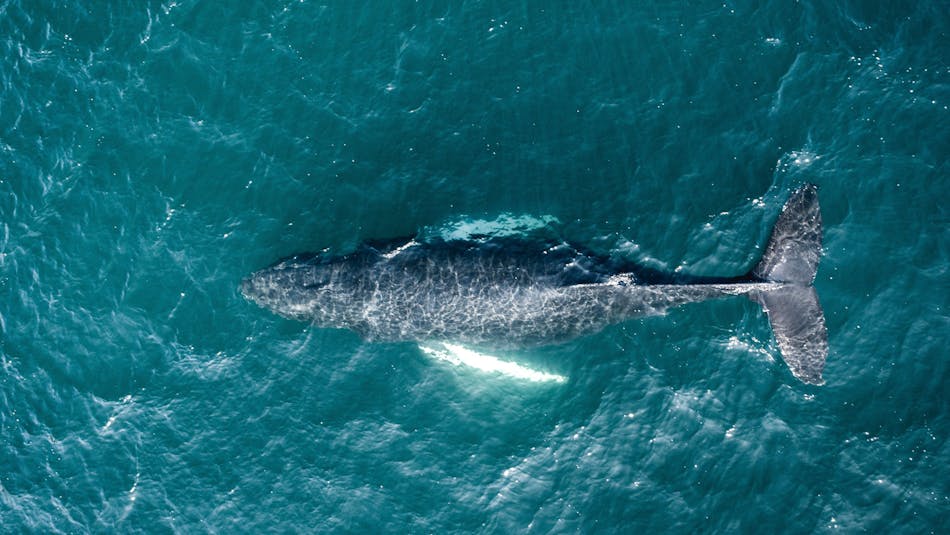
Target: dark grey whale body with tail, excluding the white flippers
513	292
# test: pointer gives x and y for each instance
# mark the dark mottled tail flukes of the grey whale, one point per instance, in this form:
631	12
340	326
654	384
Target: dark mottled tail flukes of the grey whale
791	259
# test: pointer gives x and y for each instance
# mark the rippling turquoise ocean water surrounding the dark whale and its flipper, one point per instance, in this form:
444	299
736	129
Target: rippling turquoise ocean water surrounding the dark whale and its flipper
154	153
